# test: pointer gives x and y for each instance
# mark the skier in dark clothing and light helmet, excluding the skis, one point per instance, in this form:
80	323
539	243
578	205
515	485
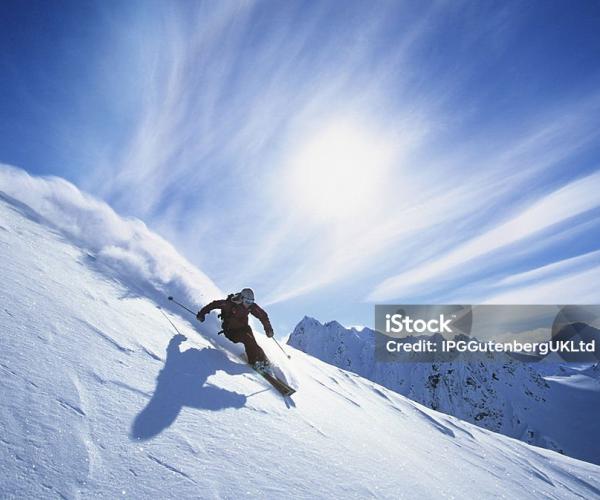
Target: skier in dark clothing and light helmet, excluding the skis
234	315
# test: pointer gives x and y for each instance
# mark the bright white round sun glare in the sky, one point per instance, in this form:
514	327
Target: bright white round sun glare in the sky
339	171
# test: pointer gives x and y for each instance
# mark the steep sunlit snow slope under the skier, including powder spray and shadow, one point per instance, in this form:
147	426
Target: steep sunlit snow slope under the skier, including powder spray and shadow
102	398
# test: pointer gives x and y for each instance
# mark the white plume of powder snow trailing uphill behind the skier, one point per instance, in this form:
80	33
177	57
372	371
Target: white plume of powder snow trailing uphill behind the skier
122	247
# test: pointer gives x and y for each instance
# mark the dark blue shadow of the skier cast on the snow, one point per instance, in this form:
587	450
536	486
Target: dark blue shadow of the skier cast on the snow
182	382
